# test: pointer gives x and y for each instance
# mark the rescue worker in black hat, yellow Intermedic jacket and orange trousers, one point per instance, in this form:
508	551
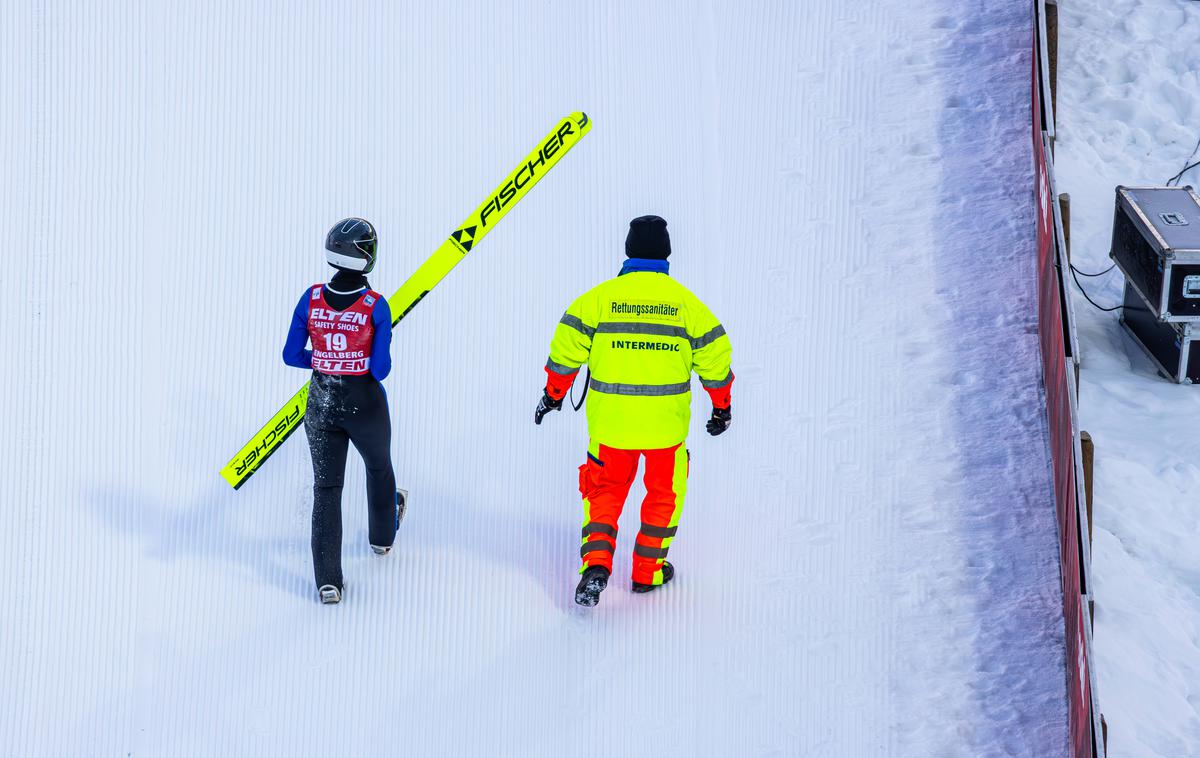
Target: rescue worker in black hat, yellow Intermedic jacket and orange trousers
641	335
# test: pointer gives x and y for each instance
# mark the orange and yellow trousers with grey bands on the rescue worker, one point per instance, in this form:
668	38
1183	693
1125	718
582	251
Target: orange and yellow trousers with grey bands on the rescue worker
605	482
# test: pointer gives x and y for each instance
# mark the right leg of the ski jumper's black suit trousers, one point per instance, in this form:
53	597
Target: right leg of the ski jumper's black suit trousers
371	434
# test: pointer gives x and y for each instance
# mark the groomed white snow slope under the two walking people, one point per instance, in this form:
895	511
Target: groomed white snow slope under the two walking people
868	561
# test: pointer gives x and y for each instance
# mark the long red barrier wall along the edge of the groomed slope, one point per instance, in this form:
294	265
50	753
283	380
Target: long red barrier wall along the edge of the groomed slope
1063	434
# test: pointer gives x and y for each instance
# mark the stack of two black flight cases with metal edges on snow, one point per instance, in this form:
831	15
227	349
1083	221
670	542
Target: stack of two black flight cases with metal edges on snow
1156	244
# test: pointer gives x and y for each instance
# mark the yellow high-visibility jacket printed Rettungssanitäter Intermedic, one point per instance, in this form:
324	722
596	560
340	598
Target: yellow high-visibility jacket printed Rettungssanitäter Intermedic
643	335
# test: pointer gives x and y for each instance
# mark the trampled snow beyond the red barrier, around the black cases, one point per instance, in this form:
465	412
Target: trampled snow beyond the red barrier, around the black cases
1130	115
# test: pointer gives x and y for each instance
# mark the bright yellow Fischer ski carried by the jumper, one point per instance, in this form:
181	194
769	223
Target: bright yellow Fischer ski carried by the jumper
566	135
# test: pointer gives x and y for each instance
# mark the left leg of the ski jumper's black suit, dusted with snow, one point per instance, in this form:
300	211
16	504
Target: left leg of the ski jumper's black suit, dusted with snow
328	449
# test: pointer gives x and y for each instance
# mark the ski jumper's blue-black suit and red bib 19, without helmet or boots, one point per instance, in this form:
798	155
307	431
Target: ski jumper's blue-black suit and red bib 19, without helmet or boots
350	327
